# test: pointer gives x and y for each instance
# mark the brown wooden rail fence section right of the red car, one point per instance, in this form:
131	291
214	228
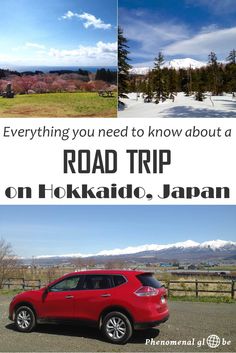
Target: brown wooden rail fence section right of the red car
197	287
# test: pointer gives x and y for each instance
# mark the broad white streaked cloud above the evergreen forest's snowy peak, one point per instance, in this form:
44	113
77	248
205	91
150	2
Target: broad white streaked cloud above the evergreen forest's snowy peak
220	41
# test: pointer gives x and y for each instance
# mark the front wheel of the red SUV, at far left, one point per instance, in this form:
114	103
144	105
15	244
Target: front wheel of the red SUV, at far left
25	319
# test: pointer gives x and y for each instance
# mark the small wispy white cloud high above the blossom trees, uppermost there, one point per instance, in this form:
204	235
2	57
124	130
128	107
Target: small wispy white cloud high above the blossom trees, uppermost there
88	19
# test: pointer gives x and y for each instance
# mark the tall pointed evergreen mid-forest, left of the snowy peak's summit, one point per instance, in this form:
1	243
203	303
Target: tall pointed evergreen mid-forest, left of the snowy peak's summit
159	80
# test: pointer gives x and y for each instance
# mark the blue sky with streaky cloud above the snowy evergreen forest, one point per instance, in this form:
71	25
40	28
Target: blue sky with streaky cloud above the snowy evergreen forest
183	28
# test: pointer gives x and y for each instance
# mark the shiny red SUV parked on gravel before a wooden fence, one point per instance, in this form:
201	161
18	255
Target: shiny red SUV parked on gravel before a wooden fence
115	301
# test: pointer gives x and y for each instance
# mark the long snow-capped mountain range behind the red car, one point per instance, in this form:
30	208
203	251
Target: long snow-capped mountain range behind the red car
187	246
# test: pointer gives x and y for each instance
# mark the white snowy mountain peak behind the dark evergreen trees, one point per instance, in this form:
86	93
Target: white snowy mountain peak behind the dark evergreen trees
175	64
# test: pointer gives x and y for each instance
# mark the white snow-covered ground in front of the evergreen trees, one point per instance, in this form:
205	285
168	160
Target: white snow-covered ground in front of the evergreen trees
183	107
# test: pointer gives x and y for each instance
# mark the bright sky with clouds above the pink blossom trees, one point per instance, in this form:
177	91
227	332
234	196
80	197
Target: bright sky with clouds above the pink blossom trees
58	32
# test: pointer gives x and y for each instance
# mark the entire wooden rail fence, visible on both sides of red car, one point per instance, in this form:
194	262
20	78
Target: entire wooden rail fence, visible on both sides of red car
197	287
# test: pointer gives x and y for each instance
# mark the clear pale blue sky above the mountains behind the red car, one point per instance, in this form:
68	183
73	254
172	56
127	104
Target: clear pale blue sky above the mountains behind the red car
55	230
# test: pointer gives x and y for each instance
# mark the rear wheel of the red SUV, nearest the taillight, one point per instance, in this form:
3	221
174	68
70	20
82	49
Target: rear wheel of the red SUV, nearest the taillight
117	327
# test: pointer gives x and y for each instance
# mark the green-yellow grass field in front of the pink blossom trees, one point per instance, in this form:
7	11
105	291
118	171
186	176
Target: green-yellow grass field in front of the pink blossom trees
59	105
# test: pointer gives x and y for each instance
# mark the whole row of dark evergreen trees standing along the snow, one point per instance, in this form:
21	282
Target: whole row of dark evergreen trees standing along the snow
162	83
